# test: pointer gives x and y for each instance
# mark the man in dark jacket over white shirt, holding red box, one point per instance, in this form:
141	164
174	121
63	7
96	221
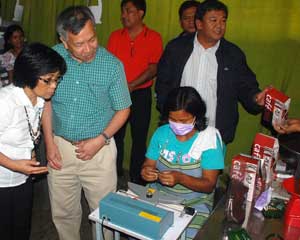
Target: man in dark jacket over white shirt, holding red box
216	68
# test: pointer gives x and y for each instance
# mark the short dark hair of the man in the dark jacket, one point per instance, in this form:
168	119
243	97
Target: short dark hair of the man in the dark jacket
210	5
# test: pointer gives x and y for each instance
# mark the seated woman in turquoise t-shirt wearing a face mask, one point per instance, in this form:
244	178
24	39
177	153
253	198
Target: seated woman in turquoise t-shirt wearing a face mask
185	155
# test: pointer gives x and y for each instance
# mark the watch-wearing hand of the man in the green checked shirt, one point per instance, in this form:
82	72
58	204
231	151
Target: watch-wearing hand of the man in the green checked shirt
87	149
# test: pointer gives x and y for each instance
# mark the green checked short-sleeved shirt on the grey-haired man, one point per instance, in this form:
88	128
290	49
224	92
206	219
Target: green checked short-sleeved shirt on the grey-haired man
88	95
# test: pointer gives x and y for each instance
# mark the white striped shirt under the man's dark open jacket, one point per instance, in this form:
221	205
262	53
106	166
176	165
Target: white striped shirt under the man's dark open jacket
200	72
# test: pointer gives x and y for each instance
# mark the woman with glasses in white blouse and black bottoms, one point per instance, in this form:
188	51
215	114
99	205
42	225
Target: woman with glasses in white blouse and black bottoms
38	69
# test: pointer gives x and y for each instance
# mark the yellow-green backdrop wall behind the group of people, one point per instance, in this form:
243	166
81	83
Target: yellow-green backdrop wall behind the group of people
267	31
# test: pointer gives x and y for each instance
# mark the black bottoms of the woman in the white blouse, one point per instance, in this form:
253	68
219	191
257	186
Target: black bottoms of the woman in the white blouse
16	208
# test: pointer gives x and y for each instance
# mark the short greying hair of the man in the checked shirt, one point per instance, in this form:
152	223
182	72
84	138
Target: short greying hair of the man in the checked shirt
73	19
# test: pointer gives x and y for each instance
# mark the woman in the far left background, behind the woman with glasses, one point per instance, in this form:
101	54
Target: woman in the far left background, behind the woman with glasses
13	44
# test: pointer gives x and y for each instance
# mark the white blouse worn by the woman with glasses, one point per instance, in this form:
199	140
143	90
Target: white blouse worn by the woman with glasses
15	139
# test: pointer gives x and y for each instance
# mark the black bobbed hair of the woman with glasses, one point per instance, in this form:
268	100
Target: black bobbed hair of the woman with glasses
36	60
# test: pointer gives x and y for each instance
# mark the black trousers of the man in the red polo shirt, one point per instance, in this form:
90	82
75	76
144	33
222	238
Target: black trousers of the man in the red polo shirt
139	120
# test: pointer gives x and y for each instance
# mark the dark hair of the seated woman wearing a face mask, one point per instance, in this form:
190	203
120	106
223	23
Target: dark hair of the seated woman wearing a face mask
189	100
